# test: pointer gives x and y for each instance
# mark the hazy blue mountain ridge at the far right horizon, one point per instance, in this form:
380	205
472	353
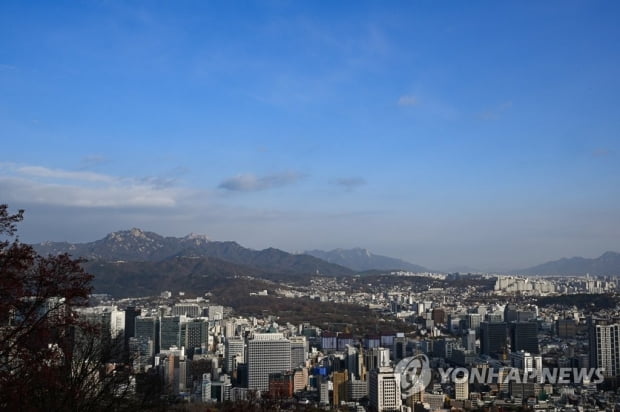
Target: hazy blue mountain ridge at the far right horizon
608	264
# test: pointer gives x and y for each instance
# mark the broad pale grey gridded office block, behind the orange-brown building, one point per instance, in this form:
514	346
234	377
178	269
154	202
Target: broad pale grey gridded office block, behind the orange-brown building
267	353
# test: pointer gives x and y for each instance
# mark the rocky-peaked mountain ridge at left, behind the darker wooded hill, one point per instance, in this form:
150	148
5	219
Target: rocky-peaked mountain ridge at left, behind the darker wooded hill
136	245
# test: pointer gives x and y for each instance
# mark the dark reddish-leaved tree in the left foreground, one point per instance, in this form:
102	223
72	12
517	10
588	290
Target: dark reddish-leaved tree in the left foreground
50	359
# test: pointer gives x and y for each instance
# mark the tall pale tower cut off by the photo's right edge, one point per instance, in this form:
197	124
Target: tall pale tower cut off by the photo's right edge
604	346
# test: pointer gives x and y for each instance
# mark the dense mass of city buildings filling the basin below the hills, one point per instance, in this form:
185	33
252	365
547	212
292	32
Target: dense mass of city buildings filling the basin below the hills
517	353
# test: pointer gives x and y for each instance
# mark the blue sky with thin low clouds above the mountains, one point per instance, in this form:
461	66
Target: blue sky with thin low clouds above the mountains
482	134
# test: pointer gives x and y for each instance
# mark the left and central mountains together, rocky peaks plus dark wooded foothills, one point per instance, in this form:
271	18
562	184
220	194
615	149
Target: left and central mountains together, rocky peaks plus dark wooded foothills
141	263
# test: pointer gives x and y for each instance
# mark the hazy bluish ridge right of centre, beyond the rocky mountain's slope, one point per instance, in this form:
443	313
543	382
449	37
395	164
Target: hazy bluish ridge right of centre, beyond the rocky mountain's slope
362	259
